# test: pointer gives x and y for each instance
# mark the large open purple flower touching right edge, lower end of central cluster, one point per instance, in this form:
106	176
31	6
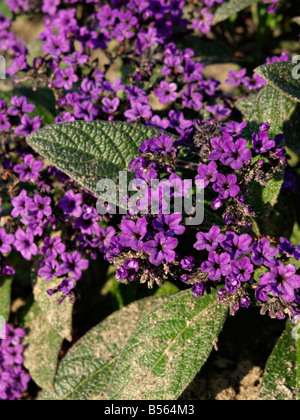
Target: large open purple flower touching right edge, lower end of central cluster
282	280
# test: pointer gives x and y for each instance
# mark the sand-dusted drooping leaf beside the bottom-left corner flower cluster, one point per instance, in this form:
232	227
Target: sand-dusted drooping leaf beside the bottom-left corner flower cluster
42	347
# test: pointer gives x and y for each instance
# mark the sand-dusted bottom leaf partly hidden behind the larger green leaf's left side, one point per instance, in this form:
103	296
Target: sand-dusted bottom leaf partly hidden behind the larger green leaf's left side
85	371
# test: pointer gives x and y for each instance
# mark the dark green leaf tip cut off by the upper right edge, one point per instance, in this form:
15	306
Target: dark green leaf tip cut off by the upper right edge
280	77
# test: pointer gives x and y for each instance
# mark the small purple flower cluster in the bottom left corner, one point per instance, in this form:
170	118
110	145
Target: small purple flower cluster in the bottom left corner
13	378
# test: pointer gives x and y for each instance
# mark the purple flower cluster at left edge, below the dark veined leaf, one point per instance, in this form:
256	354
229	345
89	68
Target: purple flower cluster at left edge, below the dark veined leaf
37	217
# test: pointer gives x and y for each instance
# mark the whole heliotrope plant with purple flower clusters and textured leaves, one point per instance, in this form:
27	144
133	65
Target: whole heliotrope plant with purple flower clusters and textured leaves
116	87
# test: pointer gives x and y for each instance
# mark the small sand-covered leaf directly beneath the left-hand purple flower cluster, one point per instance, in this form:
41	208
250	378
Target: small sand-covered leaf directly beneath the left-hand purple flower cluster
58	316
